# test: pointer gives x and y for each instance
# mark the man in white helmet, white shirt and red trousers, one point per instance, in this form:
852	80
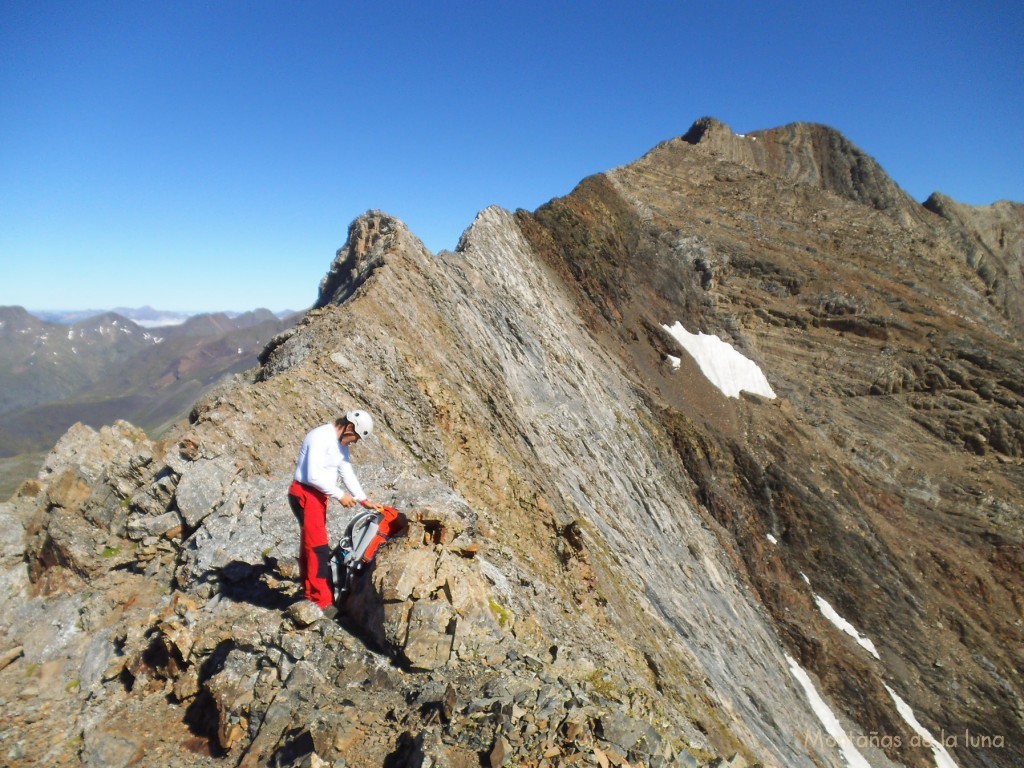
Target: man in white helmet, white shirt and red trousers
324	455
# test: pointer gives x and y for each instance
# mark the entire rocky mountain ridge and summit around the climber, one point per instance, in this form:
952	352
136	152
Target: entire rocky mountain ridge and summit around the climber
611	562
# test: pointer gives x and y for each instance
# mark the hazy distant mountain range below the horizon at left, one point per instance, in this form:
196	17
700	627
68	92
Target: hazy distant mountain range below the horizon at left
61	368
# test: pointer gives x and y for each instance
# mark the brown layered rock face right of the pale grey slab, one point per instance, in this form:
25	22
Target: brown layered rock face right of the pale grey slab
889	473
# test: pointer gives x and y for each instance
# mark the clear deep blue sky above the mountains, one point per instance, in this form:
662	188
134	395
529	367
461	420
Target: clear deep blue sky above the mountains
206	156
